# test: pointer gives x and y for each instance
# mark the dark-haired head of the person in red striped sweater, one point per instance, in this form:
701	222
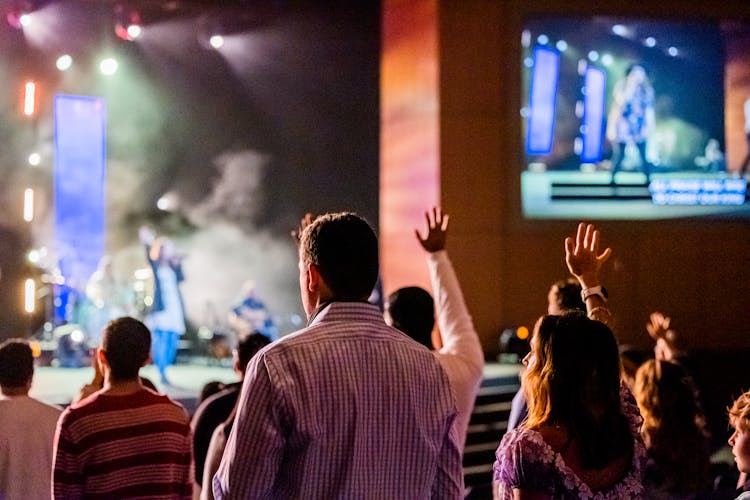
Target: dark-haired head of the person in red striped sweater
126	343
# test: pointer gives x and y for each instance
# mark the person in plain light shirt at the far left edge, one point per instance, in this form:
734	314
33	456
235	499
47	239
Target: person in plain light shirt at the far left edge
27	427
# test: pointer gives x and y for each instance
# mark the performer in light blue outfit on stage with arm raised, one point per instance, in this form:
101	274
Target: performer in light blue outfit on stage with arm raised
166	318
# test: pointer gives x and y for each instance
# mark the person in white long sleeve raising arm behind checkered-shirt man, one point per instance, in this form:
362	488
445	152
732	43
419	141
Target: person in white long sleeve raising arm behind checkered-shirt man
411	310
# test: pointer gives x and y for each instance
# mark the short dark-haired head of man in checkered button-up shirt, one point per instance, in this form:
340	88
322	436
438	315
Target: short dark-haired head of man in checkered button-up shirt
344	248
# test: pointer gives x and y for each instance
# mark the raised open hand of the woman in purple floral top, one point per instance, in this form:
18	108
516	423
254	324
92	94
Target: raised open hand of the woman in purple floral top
582	256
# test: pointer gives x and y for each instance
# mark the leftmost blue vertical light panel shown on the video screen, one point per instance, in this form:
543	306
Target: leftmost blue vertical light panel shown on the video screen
542	101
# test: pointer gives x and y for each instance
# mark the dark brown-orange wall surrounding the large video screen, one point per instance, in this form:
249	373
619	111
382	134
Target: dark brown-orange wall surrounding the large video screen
697	271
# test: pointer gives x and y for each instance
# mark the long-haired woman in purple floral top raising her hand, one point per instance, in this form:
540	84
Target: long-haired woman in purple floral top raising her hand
582	434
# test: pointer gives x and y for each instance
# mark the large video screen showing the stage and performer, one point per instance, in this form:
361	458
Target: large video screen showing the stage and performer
634	118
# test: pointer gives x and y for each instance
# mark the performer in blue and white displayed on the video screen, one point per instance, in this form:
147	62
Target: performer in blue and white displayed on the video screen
631	118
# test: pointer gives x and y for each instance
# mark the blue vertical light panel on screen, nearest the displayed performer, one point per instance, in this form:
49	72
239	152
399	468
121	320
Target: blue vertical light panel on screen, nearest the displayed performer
593	114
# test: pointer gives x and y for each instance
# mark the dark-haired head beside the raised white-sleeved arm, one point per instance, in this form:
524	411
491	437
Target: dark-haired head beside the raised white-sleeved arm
412	311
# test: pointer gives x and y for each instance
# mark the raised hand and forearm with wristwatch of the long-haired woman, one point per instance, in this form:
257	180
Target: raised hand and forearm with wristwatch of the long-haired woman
585	262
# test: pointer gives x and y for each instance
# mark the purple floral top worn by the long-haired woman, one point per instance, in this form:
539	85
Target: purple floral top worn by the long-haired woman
525	460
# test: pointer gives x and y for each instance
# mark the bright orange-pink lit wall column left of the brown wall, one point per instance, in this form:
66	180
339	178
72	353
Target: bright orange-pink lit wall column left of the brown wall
409	152
